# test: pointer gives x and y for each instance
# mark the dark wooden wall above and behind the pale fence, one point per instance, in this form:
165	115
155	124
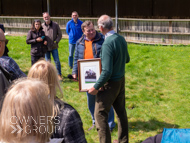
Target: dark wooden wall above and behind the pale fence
94	8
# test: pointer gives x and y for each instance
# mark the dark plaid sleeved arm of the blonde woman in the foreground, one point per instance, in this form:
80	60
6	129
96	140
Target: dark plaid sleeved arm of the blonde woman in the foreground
73	130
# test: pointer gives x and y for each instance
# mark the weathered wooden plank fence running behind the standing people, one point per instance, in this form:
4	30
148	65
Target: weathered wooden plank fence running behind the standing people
150	31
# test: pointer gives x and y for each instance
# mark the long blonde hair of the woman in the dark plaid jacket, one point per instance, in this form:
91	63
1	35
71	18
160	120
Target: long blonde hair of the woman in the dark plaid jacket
46	72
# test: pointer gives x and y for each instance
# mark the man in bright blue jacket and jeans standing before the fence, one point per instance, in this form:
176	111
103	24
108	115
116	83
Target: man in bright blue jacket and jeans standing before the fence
74	31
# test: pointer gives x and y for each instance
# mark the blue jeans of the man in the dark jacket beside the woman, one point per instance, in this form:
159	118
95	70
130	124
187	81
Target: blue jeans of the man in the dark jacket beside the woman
56	59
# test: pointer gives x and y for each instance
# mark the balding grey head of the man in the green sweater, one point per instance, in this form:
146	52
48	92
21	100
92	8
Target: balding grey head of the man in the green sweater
106	22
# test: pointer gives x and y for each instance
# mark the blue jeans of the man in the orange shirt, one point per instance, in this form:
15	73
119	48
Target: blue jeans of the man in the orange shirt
91	107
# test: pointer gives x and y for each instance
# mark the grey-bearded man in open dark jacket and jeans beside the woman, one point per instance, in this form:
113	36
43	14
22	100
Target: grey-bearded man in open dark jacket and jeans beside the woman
53	36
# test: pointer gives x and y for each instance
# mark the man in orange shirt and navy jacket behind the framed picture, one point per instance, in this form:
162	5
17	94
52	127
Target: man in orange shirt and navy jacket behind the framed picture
88	47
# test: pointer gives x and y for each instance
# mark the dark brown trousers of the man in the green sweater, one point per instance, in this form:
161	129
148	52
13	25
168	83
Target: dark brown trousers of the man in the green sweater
113	95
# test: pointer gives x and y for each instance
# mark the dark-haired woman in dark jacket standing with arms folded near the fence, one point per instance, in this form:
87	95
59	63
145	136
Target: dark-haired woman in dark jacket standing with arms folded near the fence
36	37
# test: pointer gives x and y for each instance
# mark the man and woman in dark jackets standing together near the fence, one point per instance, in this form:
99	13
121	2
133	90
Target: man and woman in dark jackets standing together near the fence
44	39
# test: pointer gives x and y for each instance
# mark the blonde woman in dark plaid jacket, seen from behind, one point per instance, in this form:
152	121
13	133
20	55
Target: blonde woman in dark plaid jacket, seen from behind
68	124
